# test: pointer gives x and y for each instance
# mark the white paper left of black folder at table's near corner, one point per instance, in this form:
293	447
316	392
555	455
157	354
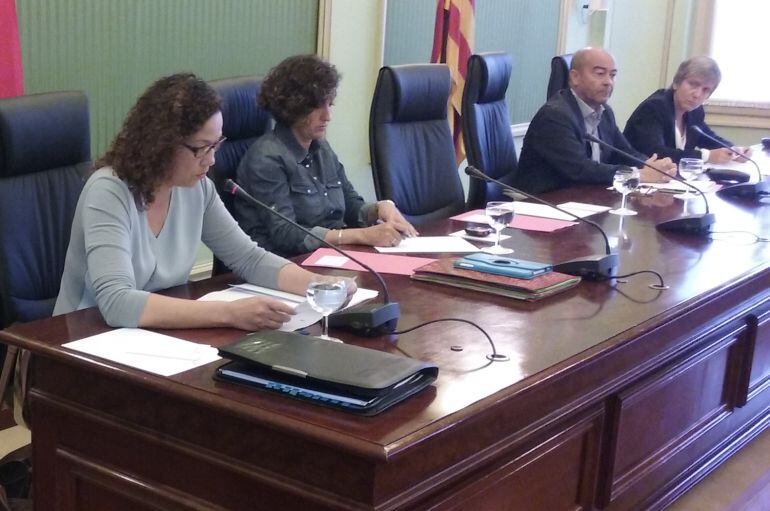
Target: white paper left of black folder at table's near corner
149	351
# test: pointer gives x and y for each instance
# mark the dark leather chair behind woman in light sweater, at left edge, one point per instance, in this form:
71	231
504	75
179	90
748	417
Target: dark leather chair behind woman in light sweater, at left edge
45	154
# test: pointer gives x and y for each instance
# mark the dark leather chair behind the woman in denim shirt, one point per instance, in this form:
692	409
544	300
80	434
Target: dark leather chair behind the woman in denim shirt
244	122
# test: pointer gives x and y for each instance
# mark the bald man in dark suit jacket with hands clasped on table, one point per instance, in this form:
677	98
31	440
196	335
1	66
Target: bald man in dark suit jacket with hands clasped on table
556	153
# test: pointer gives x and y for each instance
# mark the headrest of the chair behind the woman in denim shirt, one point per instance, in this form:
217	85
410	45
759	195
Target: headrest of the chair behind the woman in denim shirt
240	113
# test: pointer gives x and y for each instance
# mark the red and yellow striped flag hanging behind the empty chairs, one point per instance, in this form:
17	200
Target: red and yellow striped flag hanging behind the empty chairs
453	45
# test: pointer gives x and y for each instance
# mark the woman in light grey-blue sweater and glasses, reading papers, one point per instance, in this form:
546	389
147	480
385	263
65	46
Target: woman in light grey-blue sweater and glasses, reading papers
142	213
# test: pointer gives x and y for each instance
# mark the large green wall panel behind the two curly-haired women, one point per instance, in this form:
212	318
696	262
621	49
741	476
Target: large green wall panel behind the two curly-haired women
113	49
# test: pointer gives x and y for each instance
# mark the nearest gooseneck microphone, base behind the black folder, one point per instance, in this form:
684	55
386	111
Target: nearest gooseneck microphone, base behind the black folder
368	319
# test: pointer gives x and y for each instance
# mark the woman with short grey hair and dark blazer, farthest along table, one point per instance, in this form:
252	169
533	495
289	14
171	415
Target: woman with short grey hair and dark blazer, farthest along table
663	123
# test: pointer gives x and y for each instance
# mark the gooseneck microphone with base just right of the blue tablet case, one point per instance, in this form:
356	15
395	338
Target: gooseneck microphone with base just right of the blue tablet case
595	267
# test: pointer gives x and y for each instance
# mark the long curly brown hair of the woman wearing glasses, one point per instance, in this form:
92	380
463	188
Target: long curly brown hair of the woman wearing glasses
169	111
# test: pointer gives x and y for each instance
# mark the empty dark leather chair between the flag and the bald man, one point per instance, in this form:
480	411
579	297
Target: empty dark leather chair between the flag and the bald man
486	126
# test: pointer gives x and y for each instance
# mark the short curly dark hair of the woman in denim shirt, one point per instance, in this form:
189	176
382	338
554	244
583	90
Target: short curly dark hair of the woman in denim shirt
297	86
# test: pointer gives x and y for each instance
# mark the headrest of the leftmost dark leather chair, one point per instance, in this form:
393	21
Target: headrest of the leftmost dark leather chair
43	131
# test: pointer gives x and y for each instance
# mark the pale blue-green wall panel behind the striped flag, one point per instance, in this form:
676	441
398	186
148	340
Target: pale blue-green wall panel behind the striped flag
527	29
